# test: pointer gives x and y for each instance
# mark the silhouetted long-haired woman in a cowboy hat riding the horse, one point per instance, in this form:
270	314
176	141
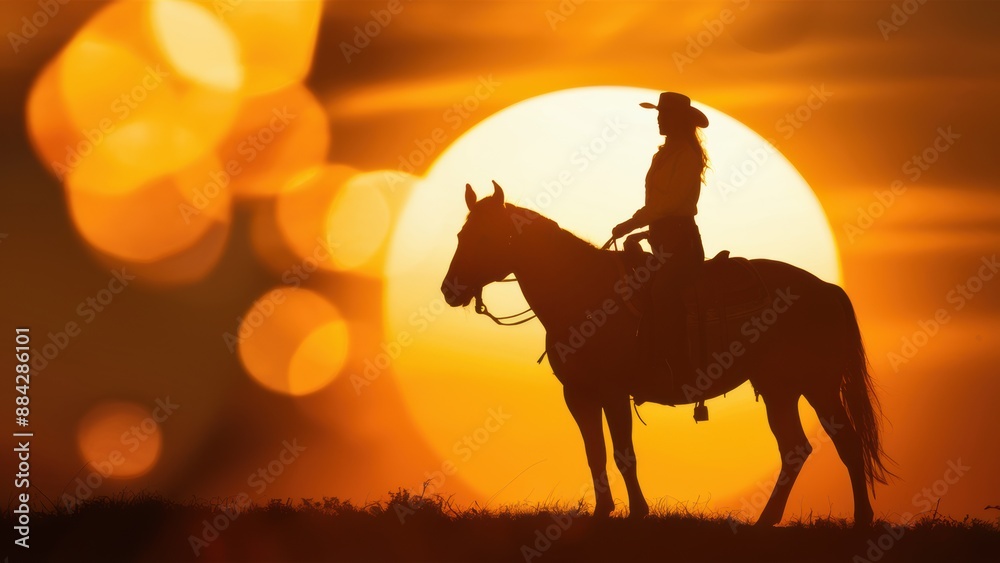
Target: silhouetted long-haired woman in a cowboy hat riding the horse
673	185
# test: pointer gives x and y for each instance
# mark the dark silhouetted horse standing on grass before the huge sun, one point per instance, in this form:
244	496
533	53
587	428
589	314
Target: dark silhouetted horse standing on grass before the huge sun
814	350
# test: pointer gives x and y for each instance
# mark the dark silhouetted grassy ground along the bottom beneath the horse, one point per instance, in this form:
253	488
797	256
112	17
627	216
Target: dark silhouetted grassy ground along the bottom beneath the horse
409	527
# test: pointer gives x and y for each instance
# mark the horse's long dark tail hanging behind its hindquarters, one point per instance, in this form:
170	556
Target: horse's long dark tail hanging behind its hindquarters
857	393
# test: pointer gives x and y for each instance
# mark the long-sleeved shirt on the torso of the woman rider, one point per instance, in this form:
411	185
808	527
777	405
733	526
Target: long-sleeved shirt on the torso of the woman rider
673	184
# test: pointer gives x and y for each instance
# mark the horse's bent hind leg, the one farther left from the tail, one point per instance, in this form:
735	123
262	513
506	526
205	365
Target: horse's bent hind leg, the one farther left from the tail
783	418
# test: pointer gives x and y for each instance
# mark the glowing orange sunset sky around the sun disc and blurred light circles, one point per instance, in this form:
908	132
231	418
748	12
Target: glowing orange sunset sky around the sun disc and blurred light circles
888	100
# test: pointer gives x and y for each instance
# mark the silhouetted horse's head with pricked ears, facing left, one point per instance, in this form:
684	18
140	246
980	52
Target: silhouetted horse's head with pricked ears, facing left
483	255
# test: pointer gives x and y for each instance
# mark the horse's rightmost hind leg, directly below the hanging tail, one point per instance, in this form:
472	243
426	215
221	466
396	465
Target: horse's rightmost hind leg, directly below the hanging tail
833	416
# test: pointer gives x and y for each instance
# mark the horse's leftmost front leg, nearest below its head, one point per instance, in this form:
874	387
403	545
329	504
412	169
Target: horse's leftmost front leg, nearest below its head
586	410
